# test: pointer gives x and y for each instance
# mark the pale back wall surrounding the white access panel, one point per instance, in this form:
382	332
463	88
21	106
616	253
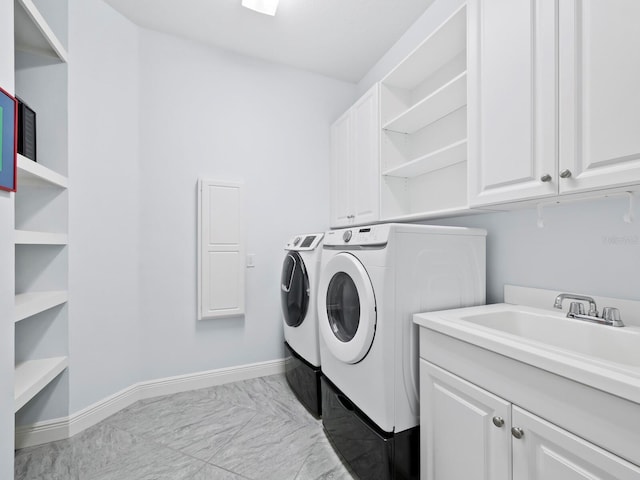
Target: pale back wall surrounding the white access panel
207	112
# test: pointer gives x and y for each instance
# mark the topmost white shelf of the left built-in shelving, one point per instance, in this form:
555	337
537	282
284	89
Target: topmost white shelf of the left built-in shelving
33	34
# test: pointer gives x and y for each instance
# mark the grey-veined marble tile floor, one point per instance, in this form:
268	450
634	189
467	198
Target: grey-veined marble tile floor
249	430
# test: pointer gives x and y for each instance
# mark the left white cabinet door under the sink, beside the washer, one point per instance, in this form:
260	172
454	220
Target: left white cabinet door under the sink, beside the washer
458	437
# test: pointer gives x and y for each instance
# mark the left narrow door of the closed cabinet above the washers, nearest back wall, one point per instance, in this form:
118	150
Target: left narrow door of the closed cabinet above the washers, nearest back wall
340	171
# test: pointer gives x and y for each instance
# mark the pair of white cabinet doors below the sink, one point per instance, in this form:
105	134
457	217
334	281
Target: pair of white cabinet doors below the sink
468	432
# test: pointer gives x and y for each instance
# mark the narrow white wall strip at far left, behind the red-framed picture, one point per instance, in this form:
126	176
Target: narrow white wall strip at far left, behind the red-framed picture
6	266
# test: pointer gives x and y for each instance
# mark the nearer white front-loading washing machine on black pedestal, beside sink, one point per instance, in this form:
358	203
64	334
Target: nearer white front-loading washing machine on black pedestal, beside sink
373	279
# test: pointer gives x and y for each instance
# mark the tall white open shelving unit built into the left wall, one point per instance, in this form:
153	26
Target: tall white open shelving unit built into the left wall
41	203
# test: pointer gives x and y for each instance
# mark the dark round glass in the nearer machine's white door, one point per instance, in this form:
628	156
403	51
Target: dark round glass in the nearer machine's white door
343	307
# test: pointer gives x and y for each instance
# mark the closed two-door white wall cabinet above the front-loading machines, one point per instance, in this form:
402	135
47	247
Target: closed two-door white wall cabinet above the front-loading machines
355	159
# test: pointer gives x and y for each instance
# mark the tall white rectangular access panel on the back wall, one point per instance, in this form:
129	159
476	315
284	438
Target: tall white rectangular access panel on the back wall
221	249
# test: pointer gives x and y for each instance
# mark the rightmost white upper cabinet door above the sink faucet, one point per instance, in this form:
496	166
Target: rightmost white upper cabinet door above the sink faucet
599	94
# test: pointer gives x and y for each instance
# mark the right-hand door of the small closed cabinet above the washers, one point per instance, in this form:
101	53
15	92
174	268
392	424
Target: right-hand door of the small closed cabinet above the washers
366	158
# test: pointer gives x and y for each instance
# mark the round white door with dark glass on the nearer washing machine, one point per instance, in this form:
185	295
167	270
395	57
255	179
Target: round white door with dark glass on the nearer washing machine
347	308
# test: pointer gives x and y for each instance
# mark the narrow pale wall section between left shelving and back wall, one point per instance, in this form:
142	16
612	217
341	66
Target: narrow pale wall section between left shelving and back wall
104	320
